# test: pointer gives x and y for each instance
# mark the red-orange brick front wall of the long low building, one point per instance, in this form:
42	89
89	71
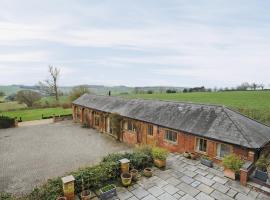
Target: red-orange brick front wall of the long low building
185	142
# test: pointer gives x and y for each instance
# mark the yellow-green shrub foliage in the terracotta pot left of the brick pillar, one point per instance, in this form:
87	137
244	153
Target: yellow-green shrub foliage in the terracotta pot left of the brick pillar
233	163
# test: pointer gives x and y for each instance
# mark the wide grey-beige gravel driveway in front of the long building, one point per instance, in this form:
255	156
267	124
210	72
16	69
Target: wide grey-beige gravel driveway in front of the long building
32	154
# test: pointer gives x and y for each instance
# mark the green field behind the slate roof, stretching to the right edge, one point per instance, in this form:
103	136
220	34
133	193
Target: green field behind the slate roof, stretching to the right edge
255	104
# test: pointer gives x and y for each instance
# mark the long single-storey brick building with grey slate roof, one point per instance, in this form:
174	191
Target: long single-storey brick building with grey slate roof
202	129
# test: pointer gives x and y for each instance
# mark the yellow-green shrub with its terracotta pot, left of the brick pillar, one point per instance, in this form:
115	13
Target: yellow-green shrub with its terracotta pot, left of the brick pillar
232	165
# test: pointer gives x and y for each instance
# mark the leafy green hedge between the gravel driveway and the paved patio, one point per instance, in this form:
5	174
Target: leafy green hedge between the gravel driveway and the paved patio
94	177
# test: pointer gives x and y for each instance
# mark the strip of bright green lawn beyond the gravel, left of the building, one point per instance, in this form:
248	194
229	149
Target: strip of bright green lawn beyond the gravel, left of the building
35	114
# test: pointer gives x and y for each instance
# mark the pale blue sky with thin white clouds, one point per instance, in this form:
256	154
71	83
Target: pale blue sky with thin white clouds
219	43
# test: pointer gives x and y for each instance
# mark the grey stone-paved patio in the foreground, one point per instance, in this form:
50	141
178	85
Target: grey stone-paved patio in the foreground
188	180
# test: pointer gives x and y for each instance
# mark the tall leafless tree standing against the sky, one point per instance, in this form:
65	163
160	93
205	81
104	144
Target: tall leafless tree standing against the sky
50	85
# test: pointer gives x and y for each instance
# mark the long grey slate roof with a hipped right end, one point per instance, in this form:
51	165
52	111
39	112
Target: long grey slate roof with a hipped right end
211	121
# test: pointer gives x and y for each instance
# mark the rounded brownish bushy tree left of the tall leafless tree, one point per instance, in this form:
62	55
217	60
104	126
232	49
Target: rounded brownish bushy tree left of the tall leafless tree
28	97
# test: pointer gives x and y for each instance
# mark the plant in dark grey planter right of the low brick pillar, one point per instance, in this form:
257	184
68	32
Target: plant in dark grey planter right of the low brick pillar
261	168
